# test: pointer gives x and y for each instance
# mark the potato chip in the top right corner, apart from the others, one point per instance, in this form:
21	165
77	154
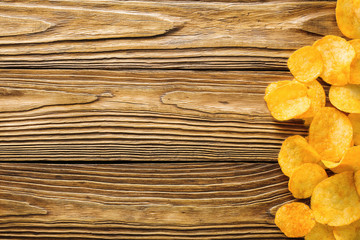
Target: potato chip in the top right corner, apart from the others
346	18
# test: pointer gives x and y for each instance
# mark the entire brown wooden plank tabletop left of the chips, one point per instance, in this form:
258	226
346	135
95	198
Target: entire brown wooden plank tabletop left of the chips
139	120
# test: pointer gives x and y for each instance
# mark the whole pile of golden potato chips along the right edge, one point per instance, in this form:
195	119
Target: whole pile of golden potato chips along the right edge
334	134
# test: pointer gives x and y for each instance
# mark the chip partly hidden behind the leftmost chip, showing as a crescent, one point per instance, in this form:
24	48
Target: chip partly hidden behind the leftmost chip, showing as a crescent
317	96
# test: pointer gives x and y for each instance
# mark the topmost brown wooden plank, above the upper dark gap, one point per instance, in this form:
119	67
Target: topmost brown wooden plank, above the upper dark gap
171	35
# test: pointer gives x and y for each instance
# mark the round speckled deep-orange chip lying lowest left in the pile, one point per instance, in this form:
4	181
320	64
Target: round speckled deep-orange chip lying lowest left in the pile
295	219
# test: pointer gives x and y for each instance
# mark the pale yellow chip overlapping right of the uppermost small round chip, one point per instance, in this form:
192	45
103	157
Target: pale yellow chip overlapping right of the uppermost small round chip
337	55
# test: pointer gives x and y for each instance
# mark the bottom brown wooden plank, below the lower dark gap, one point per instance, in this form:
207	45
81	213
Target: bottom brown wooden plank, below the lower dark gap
141	201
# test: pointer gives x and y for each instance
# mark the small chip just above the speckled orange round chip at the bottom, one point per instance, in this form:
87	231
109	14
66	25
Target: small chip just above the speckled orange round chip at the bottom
305	178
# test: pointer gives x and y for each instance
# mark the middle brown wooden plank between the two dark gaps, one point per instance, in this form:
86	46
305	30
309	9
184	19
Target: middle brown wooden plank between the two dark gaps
73	115
